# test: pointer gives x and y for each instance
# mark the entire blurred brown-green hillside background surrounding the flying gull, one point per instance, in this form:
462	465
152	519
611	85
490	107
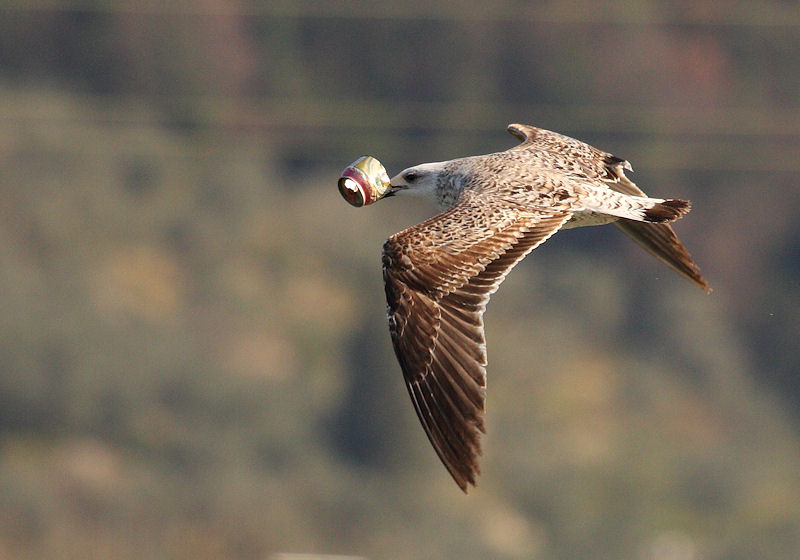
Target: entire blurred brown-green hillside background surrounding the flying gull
194	360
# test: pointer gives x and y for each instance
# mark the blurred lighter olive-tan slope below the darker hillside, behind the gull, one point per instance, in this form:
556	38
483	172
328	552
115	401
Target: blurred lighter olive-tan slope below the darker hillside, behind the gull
196	366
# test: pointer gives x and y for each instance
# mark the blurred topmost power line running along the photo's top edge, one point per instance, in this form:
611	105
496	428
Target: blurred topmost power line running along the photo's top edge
762	14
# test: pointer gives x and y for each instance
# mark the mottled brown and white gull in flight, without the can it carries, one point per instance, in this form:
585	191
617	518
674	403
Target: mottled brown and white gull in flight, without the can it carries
496	209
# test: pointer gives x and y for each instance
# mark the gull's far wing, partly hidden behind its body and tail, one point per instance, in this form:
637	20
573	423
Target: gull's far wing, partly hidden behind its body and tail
578	157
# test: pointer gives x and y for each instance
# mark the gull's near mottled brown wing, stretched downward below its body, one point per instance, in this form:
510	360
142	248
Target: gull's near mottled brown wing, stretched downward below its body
438	278
